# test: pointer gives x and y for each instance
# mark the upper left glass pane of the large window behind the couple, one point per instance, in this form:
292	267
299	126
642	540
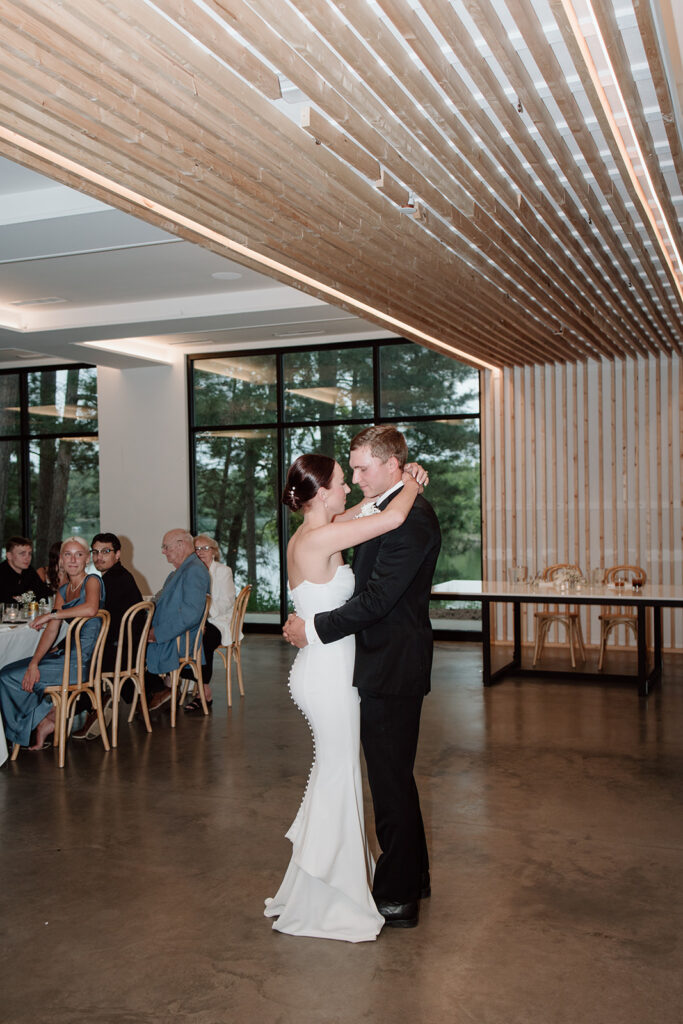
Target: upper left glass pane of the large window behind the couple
240	390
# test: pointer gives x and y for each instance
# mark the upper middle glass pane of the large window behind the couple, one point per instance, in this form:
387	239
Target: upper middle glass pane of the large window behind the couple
327	385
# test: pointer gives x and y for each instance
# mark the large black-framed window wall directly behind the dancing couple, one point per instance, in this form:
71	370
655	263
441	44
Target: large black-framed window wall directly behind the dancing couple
252	414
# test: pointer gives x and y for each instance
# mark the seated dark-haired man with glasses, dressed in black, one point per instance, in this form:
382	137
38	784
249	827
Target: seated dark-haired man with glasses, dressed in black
121	593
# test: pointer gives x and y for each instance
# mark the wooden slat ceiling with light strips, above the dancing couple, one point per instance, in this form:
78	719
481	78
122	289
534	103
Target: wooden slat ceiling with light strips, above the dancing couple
447	169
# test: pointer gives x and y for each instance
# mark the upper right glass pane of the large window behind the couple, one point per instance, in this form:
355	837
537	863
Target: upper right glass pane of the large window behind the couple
416	381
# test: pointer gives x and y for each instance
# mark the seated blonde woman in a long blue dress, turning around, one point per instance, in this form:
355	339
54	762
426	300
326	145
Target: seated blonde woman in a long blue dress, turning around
23	703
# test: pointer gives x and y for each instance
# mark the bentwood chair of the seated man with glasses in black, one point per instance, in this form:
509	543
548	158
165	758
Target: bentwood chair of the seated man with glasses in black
131	664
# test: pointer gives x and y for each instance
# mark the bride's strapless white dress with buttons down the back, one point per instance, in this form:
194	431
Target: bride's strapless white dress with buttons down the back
326	890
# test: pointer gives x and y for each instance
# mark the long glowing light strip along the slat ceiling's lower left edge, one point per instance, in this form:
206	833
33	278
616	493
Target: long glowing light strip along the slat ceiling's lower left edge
69	165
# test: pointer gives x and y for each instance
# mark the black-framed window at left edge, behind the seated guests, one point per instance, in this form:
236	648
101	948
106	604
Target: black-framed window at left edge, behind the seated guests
50	455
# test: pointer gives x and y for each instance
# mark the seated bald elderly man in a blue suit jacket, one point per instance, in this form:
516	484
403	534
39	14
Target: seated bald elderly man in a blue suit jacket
180	608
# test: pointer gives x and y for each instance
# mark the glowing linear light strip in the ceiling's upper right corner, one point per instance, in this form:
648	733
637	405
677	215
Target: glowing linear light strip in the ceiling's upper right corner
619	139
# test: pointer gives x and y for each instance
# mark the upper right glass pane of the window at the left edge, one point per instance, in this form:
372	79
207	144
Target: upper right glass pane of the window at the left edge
63	401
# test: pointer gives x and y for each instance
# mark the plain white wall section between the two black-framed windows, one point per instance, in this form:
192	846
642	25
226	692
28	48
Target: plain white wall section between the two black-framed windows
144	463
